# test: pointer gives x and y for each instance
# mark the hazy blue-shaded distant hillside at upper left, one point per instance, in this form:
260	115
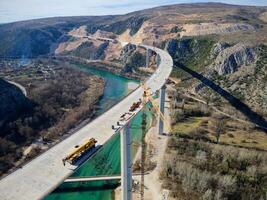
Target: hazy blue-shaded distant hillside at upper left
37	37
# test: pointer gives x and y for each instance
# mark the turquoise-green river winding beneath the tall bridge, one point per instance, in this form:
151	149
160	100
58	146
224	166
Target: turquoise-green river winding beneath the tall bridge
107	160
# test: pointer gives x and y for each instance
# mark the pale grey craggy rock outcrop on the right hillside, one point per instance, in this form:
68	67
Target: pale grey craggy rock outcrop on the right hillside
230	59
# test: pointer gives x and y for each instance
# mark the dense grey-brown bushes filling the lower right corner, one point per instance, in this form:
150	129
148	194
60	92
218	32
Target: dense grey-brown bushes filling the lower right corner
199	170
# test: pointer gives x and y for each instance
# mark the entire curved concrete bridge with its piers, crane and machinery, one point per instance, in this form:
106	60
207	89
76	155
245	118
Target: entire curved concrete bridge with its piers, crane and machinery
77	148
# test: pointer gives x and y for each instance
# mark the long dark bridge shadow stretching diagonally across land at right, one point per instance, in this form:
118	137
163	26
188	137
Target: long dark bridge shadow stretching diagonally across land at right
235	102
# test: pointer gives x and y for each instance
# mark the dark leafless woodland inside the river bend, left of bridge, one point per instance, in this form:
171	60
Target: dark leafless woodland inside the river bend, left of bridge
60	101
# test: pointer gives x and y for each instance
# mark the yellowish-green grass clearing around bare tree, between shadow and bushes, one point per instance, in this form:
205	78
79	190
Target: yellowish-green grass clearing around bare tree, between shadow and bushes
188	122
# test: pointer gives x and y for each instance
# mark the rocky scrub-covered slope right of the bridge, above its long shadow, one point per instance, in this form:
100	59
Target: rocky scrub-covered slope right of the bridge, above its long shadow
238	68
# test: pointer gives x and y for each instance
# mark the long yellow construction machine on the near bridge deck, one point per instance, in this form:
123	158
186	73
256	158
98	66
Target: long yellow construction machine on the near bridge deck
79	151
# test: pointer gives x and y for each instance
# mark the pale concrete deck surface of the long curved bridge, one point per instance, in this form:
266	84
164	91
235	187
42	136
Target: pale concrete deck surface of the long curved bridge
42	175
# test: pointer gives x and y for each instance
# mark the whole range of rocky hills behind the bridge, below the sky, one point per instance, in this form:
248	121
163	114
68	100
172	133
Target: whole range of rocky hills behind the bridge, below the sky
206	37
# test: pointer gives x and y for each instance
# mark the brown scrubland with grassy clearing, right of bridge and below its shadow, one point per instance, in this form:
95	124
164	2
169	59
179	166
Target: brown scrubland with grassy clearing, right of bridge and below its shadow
212	156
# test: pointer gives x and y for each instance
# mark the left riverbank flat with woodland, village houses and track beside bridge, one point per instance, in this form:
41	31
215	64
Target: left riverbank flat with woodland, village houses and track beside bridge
61	98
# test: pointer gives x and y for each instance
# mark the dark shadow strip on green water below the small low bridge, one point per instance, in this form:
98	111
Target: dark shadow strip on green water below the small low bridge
86	187
